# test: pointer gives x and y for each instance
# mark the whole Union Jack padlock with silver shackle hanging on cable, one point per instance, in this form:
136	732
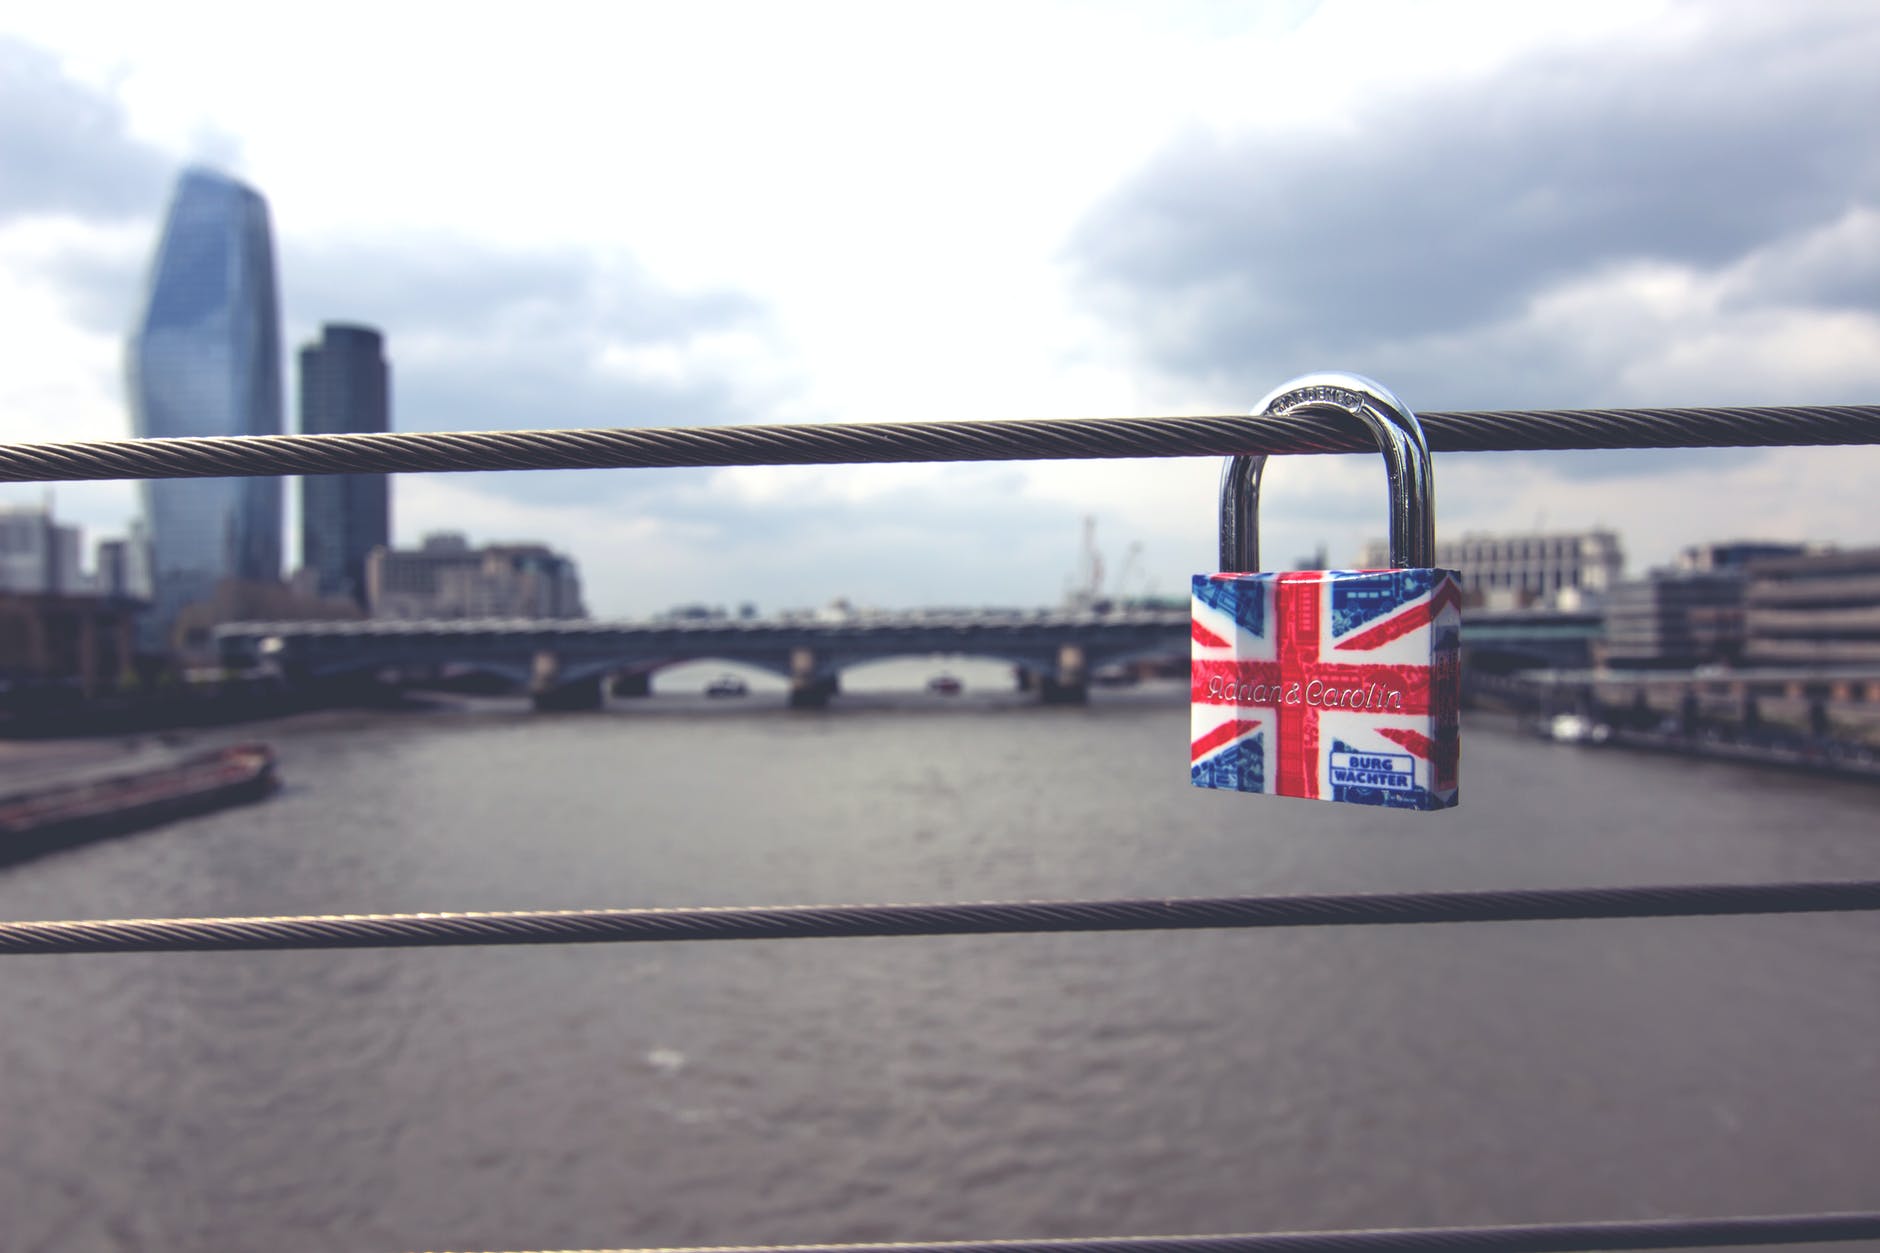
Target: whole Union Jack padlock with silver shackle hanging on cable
1334	686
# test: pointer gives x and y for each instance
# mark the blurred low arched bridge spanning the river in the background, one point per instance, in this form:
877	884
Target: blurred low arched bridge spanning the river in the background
569	663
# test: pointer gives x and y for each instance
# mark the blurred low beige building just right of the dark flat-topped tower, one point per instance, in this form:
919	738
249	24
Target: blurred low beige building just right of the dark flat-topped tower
446	579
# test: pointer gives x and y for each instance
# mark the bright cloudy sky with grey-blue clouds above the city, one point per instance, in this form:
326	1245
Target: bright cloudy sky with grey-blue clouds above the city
708	214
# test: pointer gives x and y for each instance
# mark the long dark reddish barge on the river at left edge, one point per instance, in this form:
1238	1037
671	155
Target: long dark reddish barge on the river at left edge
70	814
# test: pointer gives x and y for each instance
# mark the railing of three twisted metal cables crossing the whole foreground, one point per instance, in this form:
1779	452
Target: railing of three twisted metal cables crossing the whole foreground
999	441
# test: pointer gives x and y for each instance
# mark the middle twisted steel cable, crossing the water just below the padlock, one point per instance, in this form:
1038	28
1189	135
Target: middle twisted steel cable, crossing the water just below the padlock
574	927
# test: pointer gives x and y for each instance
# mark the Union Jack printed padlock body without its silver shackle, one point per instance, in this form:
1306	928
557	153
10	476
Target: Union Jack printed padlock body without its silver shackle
1338	686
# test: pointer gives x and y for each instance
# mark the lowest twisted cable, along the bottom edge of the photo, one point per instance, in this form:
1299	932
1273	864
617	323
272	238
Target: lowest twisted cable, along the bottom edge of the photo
1529	1239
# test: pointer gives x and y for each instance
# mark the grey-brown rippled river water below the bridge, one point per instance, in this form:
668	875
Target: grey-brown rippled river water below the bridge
928	1088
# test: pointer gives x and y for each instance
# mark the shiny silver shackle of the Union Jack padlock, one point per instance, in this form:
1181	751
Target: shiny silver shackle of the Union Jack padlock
1413	509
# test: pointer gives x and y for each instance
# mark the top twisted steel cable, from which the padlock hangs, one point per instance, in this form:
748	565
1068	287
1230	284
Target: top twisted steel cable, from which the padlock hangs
928	441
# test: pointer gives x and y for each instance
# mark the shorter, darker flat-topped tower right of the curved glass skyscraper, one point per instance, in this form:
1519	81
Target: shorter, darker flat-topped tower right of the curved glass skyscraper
345	390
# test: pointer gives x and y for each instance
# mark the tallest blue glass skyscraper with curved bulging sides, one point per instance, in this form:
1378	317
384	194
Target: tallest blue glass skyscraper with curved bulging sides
206	360
